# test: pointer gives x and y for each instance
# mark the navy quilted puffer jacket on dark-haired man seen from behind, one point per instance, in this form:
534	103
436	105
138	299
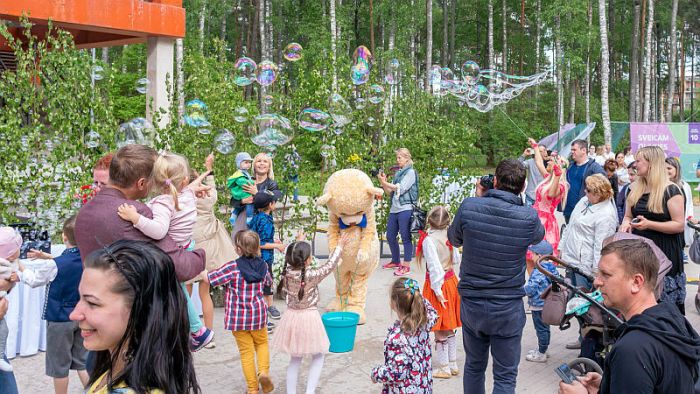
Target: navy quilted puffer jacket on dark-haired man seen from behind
495	230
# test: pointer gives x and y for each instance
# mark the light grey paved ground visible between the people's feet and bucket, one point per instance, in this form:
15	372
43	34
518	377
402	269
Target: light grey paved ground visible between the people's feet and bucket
218	370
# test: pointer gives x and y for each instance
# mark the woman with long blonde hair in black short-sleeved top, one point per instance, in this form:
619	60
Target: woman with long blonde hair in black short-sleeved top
656	210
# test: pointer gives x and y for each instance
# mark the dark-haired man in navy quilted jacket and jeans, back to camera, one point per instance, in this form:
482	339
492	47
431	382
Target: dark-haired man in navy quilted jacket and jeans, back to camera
495	231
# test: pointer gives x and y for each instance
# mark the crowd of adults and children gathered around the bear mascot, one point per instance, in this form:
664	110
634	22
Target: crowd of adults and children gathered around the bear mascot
119	295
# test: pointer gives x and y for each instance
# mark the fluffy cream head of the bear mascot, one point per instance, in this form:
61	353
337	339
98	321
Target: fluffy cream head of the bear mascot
349	194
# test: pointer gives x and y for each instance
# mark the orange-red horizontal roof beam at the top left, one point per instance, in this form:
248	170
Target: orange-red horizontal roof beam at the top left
128	18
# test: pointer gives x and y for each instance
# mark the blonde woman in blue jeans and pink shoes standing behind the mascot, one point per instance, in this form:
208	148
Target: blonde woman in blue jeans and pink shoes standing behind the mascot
403	190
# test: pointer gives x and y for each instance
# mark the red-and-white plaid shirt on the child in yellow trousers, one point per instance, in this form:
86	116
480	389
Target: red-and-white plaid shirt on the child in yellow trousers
245	307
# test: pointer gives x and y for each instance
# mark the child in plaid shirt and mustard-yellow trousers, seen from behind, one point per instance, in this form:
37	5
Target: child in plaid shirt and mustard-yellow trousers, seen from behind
246	311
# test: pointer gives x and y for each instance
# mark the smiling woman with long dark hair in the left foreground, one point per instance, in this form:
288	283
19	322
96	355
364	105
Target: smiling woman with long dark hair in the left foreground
133	314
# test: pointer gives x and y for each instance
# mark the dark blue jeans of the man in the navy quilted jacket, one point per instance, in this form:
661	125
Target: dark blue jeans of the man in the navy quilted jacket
498	325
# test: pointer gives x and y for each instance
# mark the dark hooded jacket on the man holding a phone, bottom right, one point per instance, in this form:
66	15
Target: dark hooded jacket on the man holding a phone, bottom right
656	351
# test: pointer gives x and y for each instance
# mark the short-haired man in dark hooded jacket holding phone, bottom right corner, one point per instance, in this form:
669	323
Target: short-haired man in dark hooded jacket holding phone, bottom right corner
657	350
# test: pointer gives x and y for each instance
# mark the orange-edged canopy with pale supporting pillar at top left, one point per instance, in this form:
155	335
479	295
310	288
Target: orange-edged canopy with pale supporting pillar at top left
104	23
